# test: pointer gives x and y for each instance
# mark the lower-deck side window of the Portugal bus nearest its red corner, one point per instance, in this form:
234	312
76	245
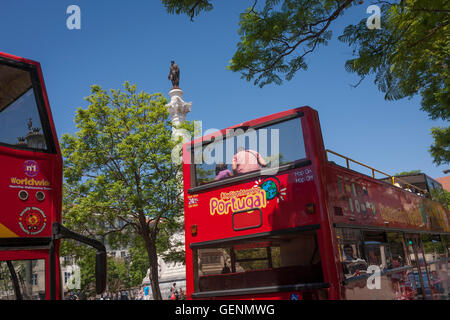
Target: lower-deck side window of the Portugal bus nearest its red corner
351	252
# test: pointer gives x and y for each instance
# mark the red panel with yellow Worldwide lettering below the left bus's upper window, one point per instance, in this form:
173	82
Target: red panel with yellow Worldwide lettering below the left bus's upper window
23	177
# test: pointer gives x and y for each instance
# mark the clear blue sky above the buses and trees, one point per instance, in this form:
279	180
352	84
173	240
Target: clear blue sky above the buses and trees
135	40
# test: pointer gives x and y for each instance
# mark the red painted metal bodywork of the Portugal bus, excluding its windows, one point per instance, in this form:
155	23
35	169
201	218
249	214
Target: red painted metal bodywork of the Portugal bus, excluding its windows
323	190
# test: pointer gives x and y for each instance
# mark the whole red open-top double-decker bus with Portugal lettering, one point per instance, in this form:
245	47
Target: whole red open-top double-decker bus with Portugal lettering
269	216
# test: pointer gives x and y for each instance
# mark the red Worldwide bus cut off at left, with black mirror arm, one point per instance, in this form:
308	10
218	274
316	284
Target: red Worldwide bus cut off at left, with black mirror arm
31	188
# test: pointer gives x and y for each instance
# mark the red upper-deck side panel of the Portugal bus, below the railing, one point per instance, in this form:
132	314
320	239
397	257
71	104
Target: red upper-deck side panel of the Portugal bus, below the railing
360	200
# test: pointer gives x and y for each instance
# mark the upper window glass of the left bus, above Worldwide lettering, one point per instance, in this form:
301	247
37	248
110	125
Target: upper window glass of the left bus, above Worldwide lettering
20	121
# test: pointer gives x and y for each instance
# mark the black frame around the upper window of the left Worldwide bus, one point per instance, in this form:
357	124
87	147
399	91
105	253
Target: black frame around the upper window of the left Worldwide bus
40	104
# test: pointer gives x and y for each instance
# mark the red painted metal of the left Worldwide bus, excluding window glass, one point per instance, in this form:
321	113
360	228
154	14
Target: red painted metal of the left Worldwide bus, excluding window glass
31	171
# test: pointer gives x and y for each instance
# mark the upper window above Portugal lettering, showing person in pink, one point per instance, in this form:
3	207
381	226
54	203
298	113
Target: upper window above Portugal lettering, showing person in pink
270	147
